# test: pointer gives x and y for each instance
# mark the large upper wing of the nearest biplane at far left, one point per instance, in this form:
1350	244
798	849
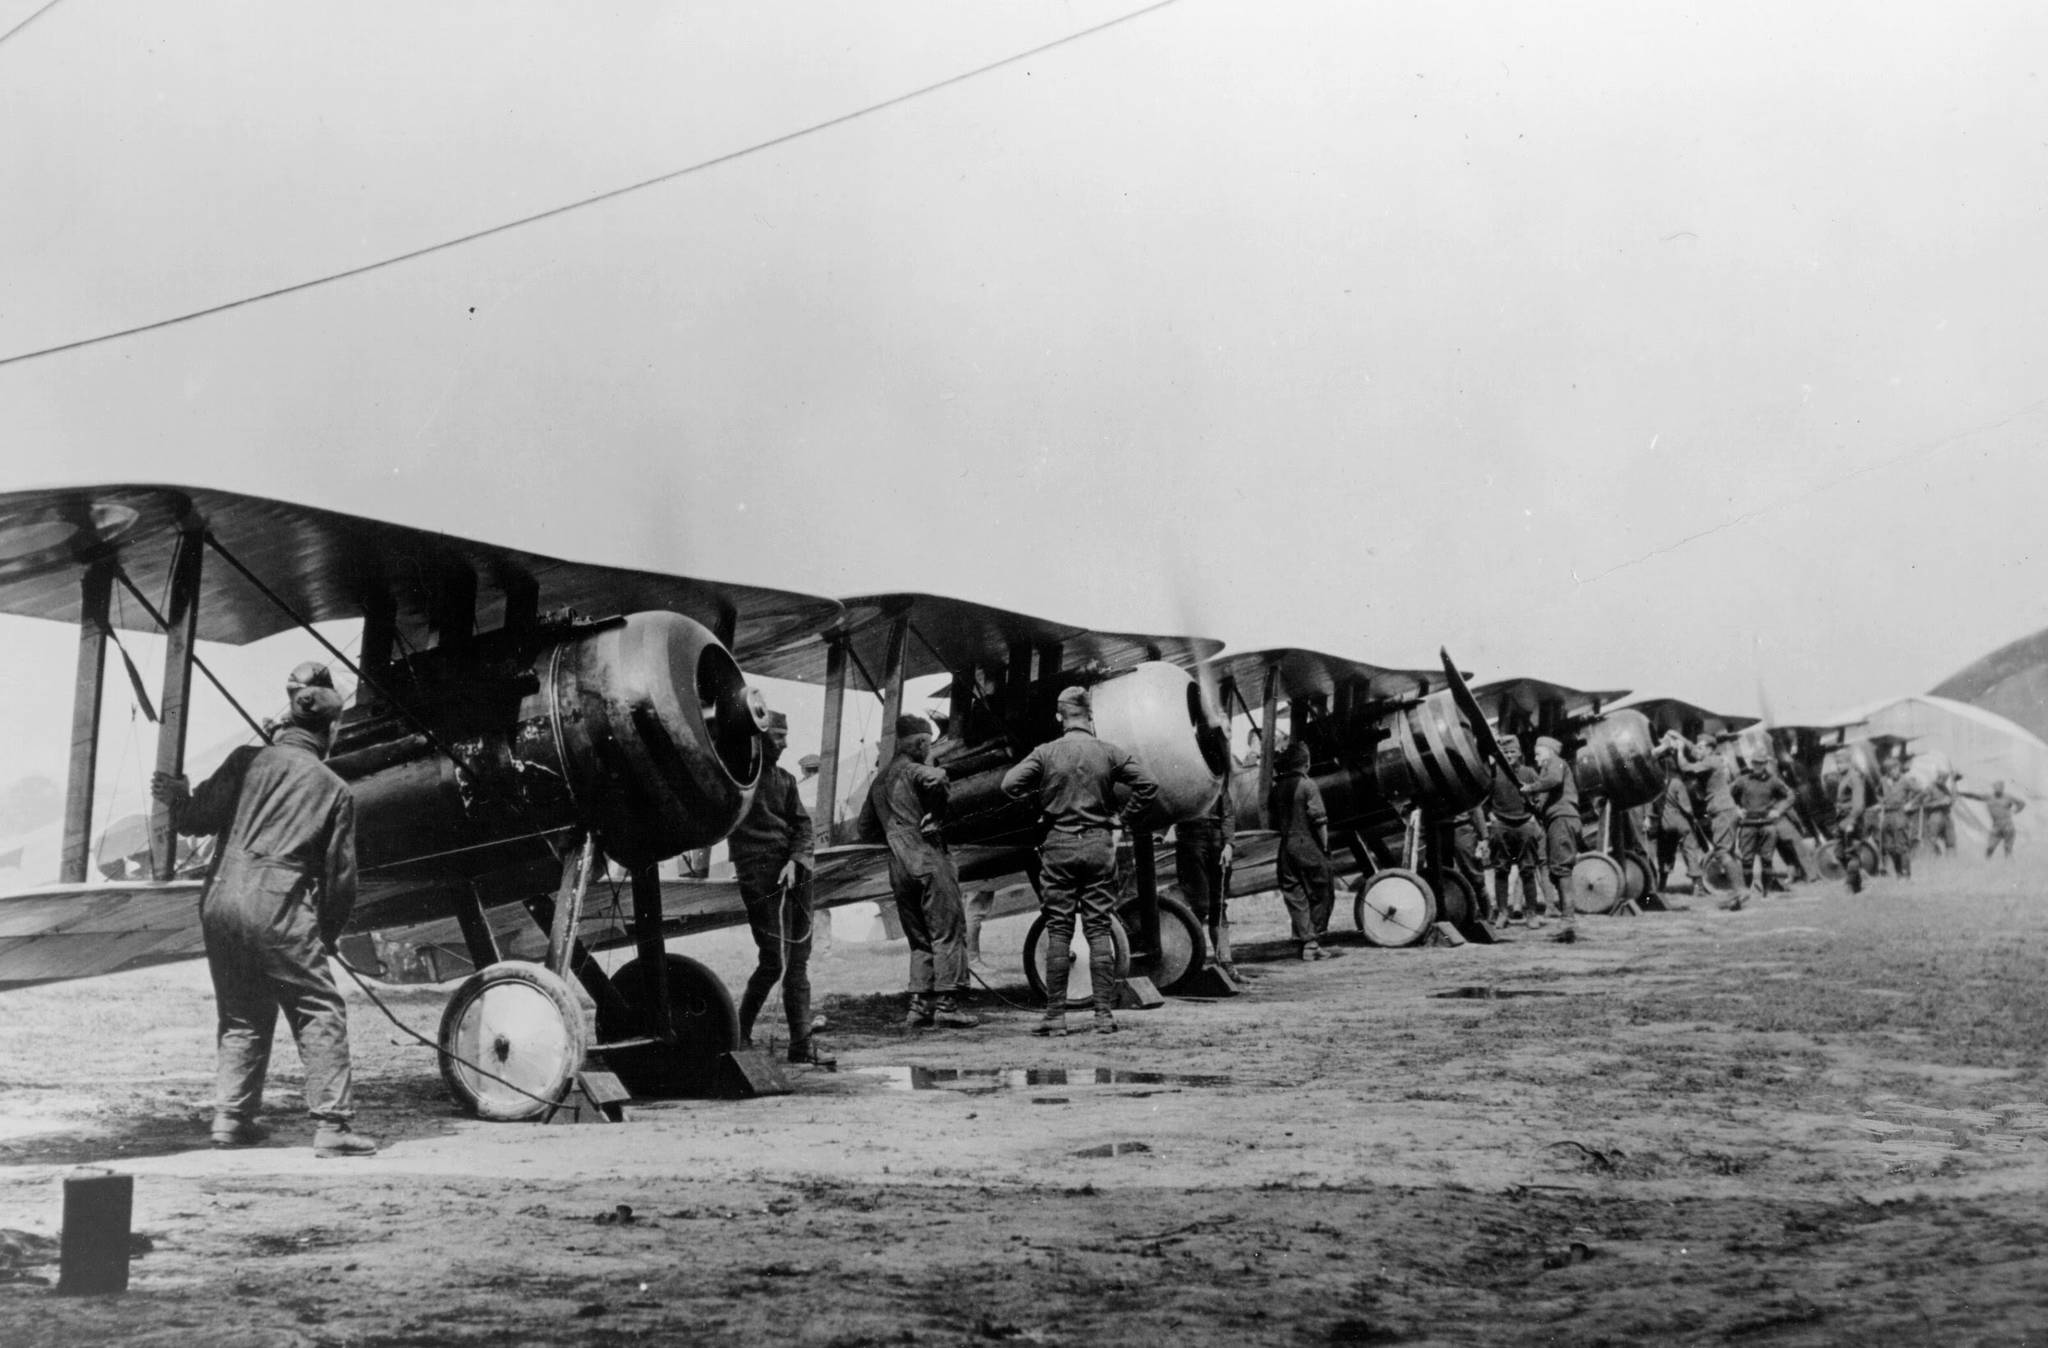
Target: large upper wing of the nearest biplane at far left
335	566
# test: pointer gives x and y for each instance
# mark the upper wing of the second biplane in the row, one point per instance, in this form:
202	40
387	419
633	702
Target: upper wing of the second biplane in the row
951	634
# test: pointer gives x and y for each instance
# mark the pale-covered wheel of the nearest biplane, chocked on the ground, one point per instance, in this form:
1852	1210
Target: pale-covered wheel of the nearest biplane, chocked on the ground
511	1042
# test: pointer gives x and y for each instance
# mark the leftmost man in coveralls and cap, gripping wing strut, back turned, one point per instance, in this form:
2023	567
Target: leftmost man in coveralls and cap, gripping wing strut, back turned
282	890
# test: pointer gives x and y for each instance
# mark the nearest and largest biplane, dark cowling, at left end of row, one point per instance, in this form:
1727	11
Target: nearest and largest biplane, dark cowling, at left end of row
517	722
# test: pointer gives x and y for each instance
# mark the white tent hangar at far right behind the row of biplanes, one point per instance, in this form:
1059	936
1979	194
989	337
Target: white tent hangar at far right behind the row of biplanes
1981	745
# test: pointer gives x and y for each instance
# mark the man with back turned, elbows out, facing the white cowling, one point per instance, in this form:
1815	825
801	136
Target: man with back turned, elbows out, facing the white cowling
1074	784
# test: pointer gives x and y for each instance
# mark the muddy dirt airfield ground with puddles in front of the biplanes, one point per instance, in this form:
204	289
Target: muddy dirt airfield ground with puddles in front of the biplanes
1816	1122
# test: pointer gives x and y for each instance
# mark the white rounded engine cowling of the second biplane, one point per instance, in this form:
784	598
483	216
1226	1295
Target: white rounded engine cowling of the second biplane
1156	712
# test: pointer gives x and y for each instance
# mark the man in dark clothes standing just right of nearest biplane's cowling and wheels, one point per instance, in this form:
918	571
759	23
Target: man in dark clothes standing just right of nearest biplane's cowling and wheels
773	857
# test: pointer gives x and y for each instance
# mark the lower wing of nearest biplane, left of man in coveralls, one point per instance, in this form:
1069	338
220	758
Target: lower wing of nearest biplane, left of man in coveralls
83	931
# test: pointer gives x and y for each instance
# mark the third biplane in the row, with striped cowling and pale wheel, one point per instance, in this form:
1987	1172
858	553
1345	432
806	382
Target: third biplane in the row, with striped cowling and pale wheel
1398	757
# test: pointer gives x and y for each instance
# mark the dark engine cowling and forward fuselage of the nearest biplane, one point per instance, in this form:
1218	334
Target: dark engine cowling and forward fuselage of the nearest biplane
638	730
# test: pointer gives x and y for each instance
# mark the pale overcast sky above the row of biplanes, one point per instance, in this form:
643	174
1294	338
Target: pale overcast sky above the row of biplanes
1629	345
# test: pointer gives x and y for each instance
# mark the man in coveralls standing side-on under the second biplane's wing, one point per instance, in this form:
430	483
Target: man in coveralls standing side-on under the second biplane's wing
910	804
